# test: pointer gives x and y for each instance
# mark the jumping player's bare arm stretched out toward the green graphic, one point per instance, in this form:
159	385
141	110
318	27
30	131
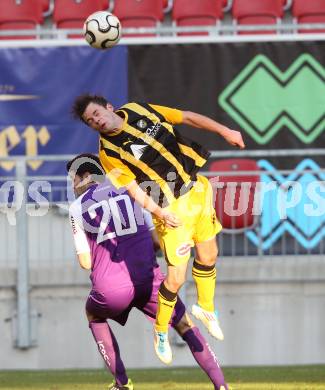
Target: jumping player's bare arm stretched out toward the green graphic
233	137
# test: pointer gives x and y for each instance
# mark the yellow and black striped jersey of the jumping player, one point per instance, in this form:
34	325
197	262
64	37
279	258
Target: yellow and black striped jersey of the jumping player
151	151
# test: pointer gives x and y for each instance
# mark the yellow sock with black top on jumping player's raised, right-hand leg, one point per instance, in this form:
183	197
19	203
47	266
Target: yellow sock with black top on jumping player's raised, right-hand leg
205	280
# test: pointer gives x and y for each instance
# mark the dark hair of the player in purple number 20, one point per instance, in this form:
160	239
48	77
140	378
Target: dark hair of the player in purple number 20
85	162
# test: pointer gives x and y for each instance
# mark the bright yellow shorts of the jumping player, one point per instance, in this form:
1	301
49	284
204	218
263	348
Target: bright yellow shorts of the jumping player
199	223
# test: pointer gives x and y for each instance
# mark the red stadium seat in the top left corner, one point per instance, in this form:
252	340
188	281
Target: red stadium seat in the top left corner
20	15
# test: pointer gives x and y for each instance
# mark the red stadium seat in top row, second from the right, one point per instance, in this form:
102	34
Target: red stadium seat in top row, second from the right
256	12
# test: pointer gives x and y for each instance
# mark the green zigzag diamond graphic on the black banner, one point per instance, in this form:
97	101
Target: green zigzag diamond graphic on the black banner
263	100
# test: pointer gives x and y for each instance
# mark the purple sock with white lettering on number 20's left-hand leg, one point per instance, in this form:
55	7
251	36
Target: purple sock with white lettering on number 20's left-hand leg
109	349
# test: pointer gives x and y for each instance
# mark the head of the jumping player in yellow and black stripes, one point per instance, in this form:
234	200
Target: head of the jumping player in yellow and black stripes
96	112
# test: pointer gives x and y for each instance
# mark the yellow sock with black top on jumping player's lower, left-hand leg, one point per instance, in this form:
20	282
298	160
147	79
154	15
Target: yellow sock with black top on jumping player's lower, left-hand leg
166	304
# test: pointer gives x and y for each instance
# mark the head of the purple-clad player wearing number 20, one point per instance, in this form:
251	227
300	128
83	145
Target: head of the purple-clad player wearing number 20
84	170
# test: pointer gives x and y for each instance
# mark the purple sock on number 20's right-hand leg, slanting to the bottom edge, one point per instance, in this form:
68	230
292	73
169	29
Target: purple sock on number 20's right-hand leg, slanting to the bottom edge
205	357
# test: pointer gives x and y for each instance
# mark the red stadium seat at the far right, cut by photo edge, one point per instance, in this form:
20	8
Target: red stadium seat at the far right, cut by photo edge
311	11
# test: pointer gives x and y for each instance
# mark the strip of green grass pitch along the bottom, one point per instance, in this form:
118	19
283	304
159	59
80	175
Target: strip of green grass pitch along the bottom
252	378
